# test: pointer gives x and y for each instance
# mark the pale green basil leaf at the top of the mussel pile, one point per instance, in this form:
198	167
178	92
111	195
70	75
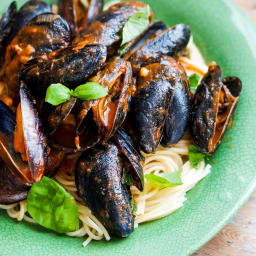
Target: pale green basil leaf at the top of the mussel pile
135	25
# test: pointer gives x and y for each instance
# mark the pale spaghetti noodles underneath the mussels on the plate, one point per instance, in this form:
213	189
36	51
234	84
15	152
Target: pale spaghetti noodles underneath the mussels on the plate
154	202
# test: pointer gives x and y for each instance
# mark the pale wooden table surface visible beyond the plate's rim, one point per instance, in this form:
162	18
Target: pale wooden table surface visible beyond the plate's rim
238	238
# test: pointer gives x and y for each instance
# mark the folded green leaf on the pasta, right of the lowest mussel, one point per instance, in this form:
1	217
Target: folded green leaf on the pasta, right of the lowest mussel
164	180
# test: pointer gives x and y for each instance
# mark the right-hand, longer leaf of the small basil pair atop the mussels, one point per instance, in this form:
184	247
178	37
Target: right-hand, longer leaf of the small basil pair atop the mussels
90	91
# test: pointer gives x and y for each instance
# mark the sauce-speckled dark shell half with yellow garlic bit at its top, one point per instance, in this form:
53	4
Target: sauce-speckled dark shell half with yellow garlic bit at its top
150	105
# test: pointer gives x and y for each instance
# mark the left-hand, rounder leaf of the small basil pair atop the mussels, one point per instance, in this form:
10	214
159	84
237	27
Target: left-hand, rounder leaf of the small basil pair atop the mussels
57	94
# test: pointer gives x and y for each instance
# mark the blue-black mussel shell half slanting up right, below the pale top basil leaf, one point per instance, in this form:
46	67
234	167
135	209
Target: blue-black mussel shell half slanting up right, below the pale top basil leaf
168	43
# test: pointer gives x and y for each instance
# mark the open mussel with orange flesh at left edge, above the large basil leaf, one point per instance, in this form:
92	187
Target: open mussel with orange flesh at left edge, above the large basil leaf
22	145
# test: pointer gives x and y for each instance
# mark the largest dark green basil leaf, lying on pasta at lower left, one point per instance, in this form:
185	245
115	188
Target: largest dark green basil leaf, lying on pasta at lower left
51	206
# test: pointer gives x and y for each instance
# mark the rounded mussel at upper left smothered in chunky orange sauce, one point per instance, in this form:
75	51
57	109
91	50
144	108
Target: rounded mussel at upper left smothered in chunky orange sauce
43	35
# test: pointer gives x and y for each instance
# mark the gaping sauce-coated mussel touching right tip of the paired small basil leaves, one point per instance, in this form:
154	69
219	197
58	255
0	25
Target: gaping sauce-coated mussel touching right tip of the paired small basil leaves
112	110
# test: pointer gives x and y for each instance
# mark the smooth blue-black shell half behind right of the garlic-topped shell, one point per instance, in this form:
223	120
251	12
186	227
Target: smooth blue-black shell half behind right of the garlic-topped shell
179	111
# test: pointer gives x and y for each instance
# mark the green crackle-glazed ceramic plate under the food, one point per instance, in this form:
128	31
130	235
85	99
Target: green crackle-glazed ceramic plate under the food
226	35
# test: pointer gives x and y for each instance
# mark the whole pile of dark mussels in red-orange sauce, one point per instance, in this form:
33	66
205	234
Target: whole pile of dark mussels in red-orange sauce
148	102
